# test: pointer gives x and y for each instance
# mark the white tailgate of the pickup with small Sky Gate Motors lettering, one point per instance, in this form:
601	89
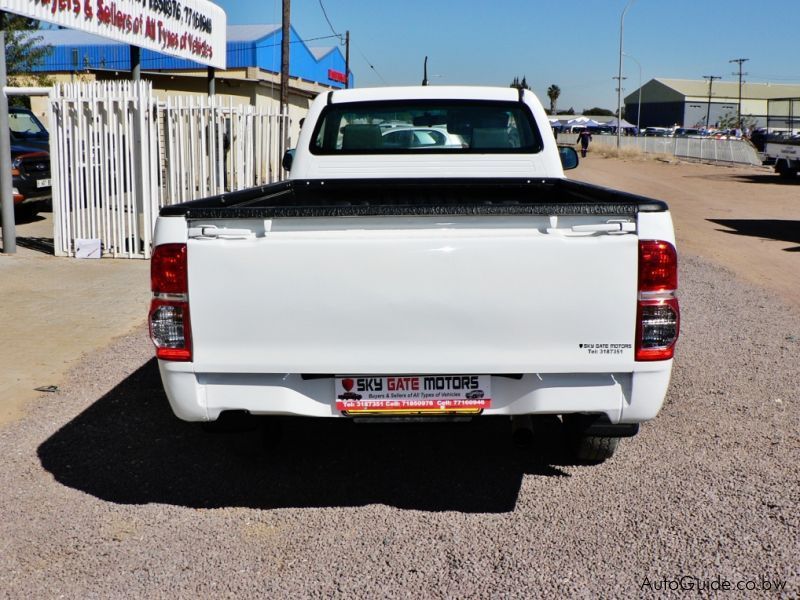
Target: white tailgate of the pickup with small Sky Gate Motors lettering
412	295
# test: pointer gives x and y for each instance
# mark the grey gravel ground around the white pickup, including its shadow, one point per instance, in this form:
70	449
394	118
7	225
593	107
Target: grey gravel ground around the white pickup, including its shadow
104	494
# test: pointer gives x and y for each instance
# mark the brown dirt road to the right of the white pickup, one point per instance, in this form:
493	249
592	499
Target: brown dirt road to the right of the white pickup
744	218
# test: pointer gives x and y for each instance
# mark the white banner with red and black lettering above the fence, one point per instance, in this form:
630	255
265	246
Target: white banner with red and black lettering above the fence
192	29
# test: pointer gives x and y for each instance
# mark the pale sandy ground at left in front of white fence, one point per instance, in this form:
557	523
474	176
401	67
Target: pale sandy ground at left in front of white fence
56	309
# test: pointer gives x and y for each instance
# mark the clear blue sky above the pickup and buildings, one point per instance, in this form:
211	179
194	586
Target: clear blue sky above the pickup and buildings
574	45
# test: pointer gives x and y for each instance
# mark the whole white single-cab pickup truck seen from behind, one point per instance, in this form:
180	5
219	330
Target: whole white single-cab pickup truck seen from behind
427	258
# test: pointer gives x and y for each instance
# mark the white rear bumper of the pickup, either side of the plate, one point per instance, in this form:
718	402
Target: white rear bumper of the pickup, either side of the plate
622	397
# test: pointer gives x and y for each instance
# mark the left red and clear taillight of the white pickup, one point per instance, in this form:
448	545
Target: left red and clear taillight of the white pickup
170	327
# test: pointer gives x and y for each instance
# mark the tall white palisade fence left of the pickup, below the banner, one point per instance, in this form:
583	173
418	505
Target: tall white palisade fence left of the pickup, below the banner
118	155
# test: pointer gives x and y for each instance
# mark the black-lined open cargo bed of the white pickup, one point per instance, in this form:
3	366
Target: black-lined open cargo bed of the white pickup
416	197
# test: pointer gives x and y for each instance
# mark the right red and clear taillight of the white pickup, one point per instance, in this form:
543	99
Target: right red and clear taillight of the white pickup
658	314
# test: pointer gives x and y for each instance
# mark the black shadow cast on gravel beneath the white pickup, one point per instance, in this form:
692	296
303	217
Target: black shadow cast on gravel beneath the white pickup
128	448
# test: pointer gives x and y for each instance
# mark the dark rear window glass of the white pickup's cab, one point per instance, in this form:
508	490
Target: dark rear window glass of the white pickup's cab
426	126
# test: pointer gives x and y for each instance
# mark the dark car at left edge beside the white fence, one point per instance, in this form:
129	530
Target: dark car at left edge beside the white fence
30	160
